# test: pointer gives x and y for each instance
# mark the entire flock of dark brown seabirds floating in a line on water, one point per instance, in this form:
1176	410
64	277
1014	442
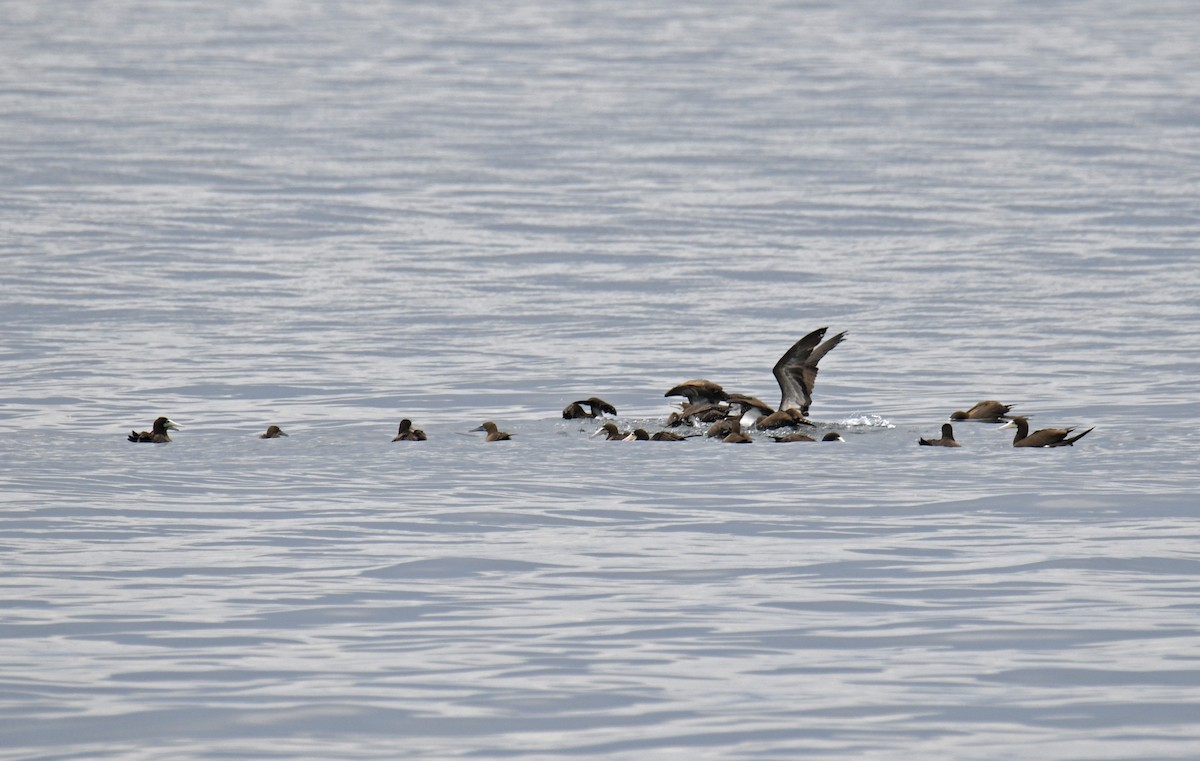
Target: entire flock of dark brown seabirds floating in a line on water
731	417
